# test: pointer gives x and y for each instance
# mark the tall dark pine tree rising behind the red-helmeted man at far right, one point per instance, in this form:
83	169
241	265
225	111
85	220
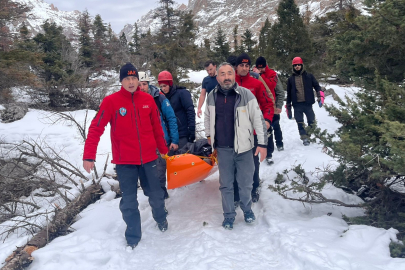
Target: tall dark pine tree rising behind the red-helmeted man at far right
289	38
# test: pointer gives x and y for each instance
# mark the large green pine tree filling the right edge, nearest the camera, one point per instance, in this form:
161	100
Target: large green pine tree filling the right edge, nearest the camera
370	142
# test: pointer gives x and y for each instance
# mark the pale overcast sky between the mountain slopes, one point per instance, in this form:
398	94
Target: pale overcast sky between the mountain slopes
118	13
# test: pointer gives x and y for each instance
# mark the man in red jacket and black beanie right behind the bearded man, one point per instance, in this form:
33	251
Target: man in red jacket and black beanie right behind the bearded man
266	105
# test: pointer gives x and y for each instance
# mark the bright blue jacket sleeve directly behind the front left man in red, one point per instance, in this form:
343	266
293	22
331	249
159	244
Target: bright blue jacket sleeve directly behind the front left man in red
167	117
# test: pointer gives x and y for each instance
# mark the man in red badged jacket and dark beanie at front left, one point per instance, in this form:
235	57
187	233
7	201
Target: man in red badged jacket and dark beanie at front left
136	132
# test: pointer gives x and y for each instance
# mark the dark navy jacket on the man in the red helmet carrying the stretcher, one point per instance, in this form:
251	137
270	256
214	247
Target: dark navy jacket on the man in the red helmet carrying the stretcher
180	99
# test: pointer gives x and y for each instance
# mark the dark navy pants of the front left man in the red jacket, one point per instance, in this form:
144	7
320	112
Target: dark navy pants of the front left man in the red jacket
128	179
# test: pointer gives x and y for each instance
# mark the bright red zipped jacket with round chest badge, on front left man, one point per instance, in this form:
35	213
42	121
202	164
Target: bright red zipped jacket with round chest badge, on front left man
136	131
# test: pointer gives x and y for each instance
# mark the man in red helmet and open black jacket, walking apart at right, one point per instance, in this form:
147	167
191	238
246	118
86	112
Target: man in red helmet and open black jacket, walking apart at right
300	95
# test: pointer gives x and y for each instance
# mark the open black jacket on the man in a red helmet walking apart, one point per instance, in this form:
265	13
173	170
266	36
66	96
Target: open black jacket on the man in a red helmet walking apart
309	82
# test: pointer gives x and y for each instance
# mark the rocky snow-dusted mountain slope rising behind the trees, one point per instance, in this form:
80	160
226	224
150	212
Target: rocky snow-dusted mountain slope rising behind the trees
209	15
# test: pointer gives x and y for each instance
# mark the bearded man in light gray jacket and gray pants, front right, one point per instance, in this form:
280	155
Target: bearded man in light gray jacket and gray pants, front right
231	115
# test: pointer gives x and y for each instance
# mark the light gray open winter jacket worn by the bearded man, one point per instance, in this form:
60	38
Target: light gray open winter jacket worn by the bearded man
248	118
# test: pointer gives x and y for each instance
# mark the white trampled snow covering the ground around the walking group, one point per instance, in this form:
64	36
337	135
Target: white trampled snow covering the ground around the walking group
287	234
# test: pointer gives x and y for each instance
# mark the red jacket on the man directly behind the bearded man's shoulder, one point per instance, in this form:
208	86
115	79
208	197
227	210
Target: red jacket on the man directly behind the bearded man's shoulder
265	102
